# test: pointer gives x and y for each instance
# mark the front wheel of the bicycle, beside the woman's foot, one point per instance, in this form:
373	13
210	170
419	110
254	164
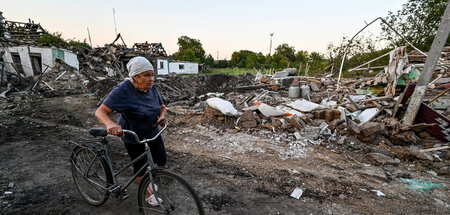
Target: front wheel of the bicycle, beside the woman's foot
178	196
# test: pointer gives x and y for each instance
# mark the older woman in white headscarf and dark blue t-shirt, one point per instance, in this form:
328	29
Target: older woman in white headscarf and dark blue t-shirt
140	107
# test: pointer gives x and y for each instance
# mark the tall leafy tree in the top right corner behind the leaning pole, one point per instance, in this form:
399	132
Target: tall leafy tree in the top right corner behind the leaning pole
417	21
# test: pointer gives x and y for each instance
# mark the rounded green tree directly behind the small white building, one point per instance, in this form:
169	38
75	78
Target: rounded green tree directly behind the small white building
190	50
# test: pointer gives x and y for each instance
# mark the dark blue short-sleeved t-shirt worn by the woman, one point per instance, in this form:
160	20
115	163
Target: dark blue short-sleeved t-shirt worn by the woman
138	110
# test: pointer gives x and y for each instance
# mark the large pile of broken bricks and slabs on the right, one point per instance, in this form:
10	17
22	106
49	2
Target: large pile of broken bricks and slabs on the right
349	117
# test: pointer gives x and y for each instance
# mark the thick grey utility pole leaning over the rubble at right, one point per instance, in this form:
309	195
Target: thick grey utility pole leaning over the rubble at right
428	69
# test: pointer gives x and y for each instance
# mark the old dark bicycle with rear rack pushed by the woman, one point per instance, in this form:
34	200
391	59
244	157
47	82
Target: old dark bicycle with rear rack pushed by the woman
96	179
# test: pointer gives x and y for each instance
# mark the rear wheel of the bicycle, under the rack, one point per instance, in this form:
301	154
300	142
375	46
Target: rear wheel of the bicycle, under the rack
93	186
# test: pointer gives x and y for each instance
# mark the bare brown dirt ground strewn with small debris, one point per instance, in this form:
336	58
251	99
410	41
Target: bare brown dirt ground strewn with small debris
234	171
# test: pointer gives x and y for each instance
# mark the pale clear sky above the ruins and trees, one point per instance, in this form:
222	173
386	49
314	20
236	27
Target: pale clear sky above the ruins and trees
222	26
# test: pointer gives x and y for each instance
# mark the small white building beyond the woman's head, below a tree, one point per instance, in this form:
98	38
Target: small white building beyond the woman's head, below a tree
165	67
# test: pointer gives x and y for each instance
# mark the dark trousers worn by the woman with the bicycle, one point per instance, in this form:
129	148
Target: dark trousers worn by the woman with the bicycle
157	149
